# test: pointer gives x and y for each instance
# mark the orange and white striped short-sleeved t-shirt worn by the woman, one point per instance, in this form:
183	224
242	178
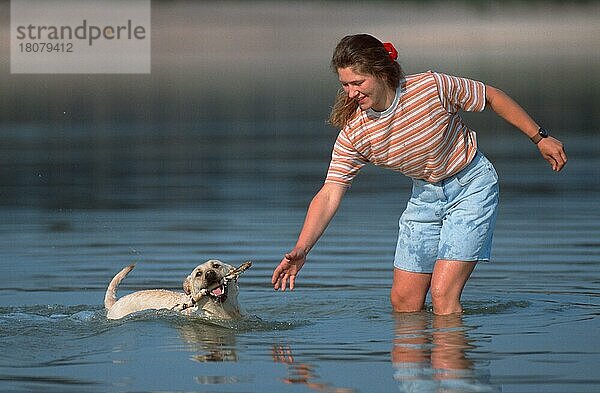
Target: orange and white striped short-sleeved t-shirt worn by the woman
420	135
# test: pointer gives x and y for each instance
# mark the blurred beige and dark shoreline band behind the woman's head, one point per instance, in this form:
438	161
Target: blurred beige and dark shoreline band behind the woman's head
270	60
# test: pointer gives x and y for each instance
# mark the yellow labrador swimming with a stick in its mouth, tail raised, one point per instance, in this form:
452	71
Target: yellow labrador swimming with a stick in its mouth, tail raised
210	290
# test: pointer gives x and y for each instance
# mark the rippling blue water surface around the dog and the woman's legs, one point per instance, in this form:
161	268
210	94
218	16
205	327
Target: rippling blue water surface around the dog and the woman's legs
530	318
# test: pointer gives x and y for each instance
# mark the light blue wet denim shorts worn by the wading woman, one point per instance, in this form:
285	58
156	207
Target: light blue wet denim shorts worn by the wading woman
453	219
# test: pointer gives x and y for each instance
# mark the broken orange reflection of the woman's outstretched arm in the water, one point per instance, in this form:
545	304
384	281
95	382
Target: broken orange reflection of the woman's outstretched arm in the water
302	373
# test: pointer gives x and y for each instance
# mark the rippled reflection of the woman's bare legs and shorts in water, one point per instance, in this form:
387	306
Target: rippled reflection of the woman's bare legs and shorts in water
430	355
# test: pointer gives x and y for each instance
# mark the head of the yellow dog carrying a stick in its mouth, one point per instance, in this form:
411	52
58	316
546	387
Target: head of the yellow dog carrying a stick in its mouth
221	300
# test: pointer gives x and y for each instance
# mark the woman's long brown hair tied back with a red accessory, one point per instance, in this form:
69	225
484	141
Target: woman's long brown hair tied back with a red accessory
366	55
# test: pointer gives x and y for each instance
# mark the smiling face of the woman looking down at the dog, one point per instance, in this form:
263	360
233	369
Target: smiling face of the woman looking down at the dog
369	91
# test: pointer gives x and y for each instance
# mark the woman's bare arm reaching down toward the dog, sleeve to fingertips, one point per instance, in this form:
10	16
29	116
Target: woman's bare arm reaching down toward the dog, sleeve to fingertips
320	212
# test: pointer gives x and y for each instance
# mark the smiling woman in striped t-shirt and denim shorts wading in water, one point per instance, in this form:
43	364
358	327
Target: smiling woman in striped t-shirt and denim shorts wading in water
411	124
